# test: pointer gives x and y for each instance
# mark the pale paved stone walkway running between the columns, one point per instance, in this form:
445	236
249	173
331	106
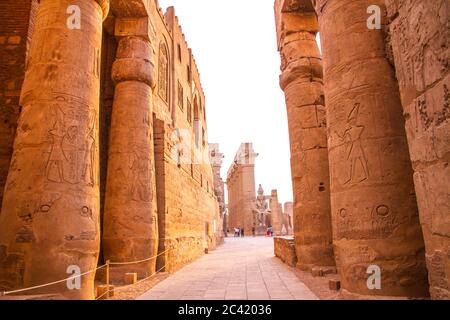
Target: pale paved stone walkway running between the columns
241	269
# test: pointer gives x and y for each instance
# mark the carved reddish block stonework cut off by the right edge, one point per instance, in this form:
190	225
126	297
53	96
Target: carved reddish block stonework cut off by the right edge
420	35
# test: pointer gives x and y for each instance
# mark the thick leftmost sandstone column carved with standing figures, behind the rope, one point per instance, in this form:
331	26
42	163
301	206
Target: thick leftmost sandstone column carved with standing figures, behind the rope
50	214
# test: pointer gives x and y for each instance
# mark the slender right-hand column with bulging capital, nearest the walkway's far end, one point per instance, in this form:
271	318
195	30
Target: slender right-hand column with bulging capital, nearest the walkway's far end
302	83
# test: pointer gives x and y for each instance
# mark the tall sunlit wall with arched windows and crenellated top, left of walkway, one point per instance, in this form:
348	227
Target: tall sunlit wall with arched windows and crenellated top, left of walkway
188	208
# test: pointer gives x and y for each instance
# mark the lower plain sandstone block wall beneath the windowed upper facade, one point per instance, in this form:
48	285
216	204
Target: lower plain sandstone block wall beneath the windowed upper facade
187	212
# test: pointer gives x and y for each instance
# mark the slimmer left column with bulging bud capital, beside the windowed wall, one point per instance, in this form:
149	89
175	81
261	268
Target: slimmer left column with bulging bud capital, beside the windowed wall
130	218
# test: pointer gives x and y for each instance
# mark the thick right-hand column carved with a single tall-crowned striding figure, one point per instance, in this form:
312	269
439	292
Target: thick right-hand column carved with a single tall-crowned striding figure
374	211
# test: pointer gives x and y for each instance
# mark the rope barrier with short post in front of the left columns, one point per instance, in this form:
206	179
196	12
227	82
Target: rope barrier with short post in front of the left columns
107	265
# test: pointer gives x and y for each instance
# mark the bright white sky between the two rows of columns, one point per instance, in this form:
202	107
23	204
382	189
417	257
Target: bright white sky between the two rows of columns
234	44
